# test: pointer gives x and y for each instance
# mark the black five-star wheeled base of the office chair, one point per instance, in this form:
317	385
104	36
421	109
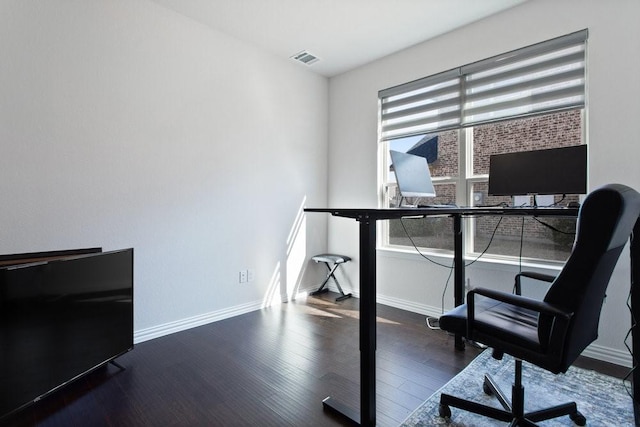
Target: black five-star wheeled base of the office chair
513	413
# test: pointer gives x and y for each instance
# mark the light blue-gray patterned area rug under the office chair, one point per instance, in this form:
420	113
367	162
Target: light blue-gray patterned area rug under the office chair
602	399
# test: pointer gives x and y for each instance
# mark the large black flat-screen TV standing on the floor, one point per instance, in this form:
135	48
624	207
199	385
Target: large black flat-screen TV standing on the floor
61	317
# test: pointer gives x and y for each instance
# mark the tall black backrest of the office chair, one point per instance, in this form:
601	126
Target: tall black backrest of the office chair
605	222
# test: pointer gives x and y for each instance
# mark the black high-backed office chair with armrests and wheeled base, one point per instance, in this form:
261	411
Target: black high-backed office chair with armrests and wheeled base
553	332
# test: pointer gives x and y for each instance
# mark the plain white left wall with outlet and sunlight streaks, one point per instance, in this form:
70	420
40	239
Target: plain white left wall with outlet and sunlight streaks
124	124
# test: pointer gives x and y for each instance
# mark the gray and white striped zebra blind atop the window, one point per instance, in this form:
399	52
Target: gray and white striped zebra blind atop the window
542	78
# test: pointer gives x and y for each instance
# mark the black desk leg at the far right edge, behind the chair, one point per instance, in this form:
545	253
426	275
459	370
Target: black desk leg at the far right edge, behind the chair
635	316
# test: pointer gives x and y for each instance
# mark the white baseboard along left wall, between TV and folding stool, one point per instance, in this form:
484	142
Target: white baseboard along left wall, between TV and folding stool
194	321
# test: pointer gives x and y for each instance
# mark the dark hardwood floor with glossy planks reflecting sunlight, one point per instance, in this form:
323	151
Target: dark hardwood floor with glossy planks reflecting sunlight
271	367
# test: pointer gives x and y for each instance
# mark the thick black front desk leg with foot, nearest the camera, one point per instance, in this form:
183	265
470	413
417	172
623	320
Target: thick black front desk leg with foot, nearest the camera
367	331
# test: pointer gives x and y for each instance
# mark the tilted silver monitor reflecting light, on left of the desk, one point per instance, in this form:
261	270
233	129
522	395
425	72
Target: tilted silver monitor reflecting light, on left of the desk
412	174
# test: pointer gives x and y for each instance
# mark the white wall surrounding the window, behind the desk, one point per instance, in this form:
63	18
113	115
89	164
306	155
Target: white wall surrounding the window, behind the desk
613	109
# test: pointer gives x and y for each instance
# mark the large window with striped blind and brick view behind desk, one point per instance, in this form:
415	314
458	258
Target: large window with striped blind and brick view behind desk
528	99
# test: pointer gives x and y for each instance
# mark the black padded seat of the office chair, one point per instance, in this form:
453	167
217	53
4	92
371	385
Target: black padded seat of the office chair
496	324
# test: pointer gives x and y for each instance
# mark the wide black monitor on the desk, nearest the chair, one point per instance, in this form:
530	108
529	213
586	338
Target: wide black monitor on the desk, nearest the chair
552	171
